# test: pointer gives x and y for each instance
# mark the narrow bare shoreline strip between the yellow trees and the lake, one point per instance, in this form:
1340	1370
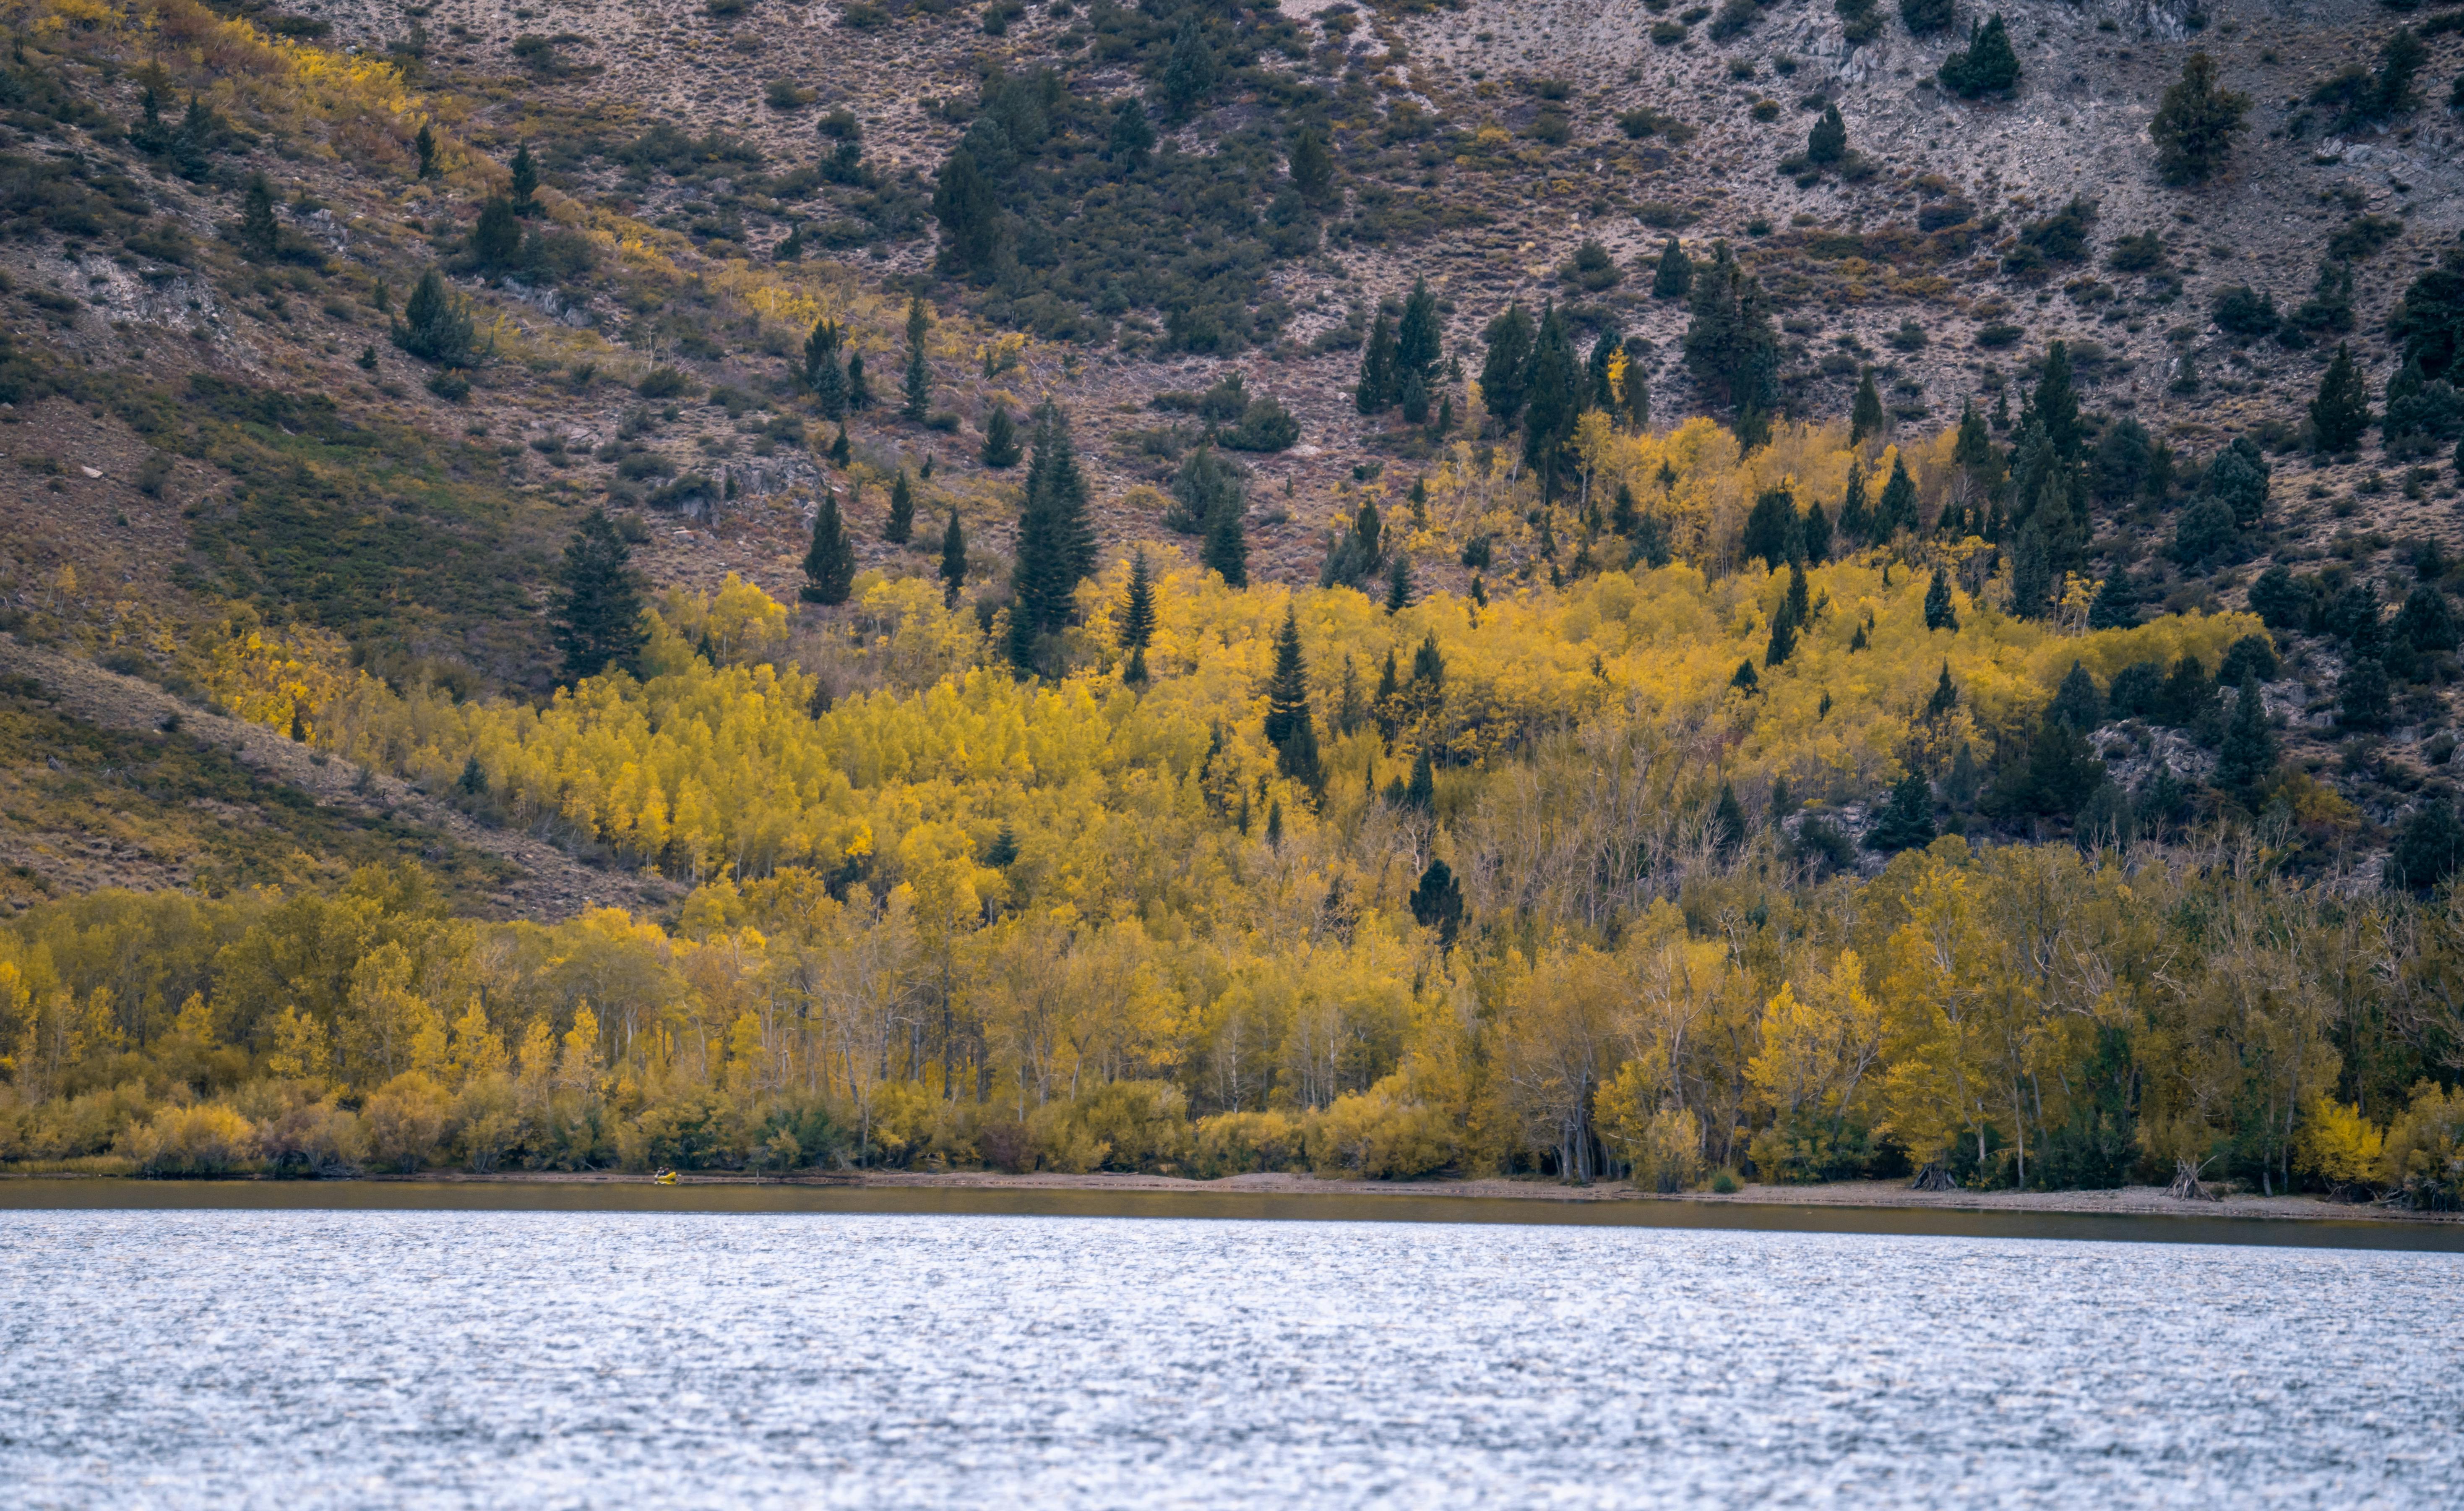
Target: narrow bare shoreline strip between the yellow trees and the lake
2130	1202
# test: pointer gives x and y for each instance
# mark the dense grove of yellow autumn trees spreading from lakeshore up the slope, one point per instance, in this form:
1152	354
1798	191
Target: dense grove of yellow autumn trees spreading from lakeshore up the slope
1544	901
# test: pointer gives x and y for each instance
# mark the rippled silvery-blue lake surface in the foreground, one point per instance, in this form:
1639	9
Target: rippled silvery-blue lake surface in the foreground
642	1359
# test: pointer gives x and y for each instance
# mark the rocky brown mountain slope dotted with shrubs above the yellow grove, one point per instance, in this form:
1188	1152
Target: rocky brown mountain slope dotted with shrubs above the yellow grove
201	423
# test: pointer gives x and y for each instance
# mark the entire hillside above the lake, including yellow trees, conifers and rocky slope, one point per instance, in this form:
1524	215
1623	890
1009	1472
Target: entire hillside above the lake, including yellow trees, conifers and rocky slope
1497	588
